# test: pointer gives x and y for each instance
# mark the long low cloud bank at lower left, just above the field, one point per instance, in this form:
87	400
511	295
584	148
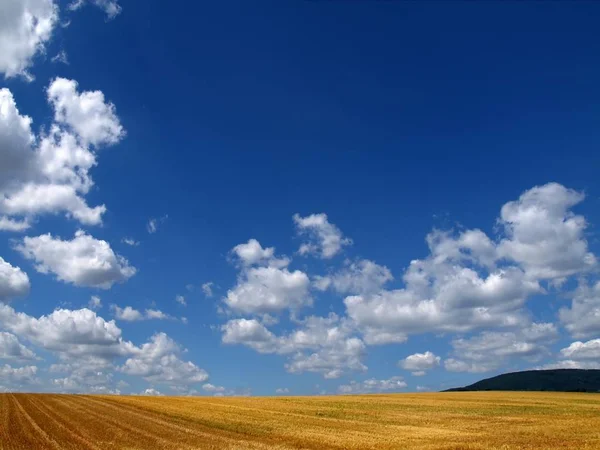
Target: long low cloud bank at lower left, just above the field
89	347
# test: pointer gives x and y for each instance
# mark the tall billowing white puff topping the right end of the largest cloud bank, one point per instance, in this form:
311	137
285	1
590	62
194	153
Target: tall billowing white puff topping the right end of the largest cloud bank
543	235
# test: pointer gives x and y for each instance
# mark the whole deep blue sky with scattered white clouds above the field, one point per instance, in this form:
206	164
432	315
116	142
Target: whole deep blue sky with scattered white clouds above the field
296	198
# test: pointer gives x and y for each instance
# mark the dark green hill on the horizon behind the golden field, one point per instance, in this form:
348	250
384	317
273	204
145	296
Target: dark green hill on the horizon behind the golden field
565	380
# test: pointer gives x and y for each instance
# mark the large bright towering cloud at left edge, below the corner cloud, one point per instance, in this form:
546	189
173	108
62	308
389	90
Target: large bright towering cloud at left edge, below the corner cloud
49	173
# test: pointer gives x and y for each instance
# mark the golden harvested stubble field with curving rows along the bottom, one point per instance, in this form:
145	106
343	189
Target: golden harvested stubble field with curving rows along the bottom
460	420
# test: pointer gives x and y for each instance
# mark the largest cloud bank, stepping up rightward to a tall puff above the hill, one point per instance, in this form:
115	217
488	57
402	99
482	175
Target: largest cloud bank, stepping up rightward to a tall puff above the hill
469	282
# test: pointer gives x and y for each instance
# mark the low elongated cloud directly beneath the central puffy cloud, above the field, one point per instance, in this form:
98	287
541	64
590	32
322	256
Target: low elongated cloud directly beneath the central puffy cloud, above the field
324	345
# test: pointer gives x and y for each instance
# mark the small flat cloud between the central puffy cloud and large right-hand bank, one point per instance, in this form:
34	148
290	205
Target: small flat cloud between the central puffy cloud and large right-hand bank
361	277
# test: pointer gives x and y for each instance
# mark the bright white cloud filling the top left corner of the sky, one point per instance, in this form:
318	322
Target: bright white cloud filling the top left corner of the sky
25	29
